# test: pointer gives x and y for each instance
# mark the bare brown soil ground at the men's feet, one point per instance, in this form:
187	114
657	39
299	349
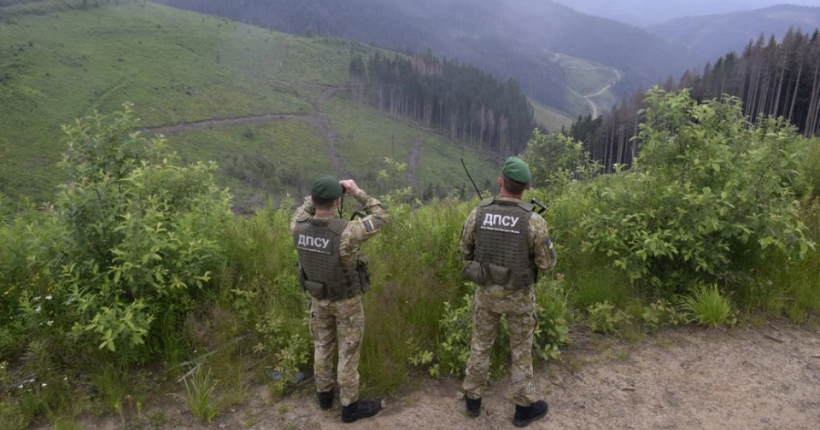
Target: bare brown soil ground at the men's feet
687	378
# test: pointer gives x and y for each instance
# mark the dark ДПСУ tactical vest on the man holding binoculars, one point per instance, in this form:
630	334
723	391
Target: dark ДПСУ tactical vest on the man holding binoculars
321	271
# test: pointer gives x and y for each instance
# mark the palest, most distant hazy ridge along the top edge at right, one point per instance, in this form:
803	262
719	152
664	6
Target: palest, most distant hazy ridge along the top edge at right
649	12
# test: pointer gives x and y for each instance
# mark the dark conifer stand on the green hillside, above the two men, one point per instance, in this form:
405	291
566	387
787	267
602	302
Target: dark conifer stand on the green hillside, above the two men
459	101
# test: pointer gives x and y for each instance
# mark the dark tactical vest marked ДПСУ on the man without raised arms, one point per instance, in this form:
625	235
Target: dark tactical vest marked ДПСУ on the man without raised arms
502	243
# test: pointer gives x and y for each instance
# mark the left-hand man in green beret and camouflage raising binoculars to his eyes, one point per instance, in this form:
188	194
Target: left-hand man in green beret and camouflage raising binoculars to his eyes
334	274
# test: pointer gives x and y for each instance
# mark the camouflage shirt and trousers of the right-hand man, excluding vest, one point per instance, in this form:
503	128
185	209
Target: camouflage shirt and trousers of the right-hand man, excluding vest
517	304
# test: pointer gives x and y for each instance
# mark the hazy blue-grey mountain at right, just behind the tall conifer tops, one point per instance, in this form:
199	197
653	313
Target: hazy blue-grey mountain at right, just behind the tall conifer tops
709	37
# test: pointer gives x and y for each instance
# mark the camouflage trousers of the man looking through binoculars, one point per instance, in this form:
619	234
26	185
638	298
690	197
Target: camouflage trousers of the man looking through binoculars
342	321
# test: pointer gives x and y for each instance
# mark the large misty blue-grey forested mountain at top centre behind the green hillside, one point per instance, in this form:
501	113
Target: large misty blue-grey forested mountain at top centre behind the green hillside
508	38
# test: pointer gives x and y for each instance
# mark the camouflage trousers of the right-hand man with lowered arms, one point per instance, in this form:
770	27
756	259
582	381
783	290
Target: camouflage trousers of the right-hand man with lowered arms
519	308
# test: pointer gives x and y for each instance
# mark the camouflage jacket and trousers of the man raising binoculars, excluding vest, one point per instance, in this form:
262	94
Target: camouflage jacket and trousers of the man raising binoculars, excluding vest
342	320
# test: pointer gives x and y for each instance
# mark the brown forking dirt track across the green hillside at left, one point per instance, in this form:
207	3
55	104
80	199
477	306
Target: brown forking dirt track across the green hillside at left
317	118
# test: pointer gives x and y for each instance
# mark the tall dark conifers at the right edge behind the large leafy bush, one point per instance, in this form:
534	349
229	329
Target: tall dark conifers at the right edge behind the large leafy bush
770	78
